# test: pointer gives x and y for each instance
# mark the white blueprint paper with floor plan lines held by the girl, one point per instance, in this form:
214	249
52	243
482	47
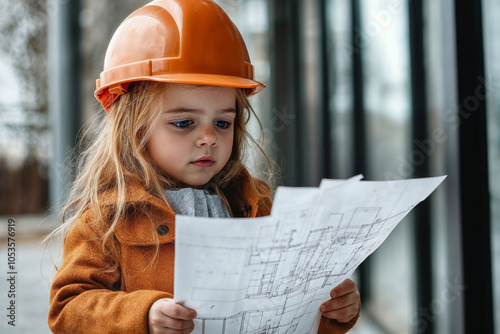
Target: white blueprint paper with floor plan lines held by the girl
270	274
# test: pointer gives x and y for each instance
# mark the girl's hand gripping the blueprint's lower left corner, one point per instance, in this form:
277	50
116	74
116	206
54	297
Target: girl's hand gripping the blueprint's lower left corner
165	316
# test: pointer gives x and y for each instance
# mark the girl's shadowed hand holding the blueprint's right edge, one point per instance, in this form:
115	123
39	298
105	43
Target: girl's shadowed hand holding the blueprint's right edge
344	304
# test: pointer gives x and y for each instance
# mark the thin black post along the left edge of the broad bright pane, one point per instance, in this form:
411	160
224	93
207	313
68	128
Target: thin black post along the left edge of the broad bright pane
359	124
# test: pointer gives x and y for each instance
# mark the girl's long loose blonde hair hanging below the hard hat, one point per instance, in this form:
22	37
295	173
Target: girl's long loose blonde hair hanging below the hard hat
118	153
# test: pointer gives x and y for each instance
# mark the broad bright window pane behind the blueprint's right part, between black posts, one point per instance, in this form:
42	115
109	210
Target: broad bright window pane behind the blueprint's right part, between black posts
383	37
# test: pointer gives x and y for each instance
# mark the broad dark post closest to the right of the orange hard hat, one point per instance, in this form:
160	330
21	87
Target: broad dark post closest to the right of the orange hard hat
285	49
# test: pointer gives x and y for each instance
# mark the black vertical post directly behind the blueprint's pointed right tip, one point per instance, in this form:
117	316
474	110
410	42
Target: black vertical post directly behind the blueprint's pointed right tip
422	213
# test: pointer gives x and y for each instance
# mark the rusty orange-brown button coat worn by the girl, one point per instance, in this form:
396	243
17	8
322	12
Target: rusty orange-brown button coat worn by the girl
85	298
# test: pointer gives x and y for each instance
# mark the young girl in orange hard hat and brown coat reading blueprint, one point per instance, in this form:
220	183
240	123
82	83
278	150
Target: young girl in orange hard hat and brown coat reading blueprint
171	140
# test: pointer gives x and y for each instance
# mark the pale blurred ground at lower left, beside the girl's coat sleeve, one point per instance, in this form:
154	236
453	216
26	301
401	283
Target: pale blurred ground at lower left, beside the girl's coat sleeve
32	268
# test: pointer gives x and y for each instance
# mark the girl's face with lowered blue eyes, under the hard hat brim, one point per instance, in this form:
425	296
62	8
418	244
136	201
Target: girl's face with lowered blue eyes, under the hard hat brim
193	138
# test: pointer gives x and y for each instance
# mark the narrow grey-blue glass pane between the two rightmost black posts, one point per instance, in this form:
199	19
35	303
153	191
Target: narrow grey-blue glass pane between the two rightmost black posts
442	100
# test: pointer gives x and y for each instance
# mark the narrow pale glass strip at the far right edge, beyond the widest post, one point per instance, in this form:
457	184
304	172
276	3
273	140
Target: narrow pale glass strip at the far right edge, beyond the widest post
491	13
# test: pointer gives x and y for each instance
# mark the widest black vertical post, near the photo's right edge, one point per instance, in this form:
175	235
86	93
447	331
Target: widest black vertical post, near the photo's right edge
473	161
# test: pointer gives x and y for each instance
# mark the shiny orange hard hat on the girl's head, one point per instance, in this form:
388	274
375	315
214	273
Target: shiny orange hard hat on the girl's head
181	41
